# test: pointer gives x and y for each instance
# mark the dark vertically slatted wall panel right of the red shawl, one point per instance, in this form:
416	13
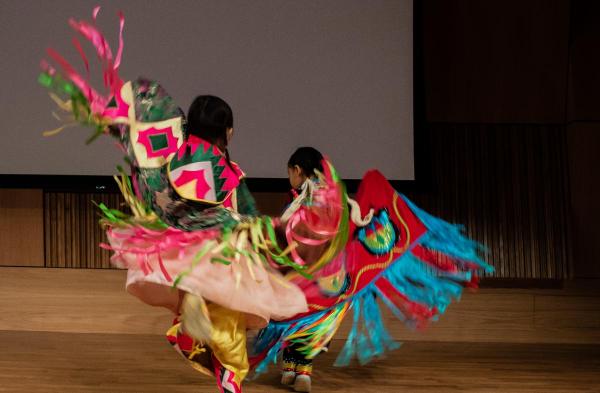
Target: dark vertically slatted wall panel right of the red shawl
505	183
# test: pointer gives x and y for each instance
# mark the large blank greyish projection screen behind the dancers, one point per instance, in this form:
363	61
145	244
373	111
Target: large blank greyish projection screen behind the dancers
333	74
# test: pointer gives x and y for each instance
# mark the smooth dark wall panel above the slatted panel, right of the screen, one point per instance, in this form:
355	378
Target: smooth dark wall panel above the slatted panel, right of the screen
496	61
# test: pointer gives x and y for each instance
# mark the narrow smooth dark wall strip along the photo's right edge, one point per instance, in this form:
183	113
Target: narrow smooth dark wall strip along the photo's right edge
584	135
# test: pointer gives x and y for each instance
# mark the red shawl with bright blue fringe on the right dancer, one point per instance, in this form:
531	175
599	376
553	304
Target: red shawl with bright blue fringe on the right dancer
401	258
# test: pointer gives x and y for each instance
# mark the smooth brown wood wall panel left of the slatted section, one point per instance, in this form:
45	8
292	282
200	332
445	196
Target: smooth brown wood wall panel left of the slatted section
21	228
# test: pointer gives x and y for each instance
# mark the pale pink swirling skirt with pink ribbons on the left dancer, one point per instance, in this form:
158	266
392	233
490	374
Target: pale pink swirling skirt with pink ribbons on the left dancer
161	264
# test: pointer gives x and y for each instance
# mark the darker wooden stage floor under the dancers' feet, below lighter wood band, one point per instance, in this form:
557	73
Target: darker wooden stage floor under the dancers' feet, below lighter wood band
91	362
